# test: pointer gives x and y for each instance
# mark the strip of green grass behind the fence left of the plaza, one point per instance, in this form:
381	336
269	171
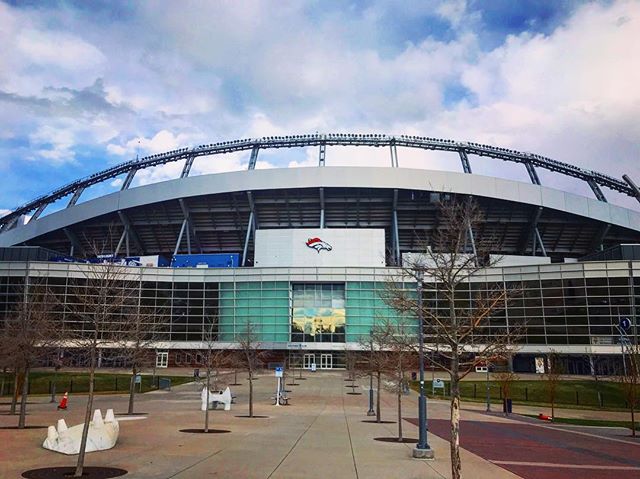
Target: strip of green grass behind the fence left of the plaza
39	382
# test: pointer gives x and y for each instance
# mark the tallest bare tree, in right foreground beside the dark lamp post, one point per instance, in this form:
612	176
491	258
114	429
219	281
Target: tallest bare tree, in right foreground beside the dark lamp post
462	312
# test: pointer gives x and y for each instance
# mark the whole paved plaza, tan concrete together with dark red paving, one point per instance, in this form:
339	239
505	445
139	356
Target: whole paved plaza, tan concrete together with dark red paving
322	434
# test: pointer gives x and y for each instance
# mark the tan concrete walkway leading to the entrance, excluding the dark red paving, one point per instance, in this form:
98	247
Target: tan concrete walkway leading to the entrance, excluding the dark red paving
321	434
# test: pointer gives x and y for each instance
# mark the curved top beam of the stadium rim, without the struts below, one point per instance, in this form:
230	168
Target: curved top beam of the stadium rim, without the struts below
331	140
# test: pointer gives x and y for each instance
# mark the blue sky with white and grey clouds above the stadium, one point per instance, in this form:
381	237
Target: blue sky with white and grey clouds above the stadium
87	85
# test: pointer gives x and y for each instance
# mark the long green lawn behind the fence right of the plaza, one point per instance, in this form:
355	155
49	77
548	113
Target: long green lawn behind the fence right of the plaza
578	393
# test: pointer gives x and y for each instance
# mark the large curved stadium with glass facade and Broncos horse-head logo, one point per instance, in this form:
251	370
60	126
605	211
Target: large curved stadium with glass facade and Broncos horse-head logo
302	254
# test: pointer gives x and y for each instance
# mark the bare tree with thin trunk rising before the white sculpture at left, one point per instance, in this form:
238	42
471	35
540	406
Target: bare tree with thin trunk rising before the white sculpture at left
99	307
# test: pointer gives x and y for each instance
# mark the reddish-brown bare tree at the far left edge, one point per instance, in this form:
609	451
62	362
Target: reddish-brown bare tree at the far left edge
28	333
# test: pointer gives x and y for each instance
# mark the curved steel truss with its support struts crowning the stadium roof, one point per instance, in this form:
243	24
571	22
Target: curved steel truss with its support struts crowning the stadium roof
531	161
